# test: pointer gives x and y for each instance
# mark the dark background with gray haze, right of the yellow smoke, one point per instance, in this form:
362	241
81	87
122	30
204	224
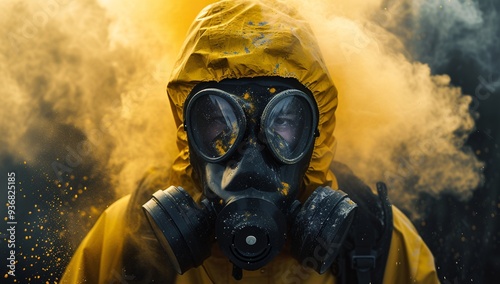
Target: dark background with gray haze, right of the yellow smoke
465	235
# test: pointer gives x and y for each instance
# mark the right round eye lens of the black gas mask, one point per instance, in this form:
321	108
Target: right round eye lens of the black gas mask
289	123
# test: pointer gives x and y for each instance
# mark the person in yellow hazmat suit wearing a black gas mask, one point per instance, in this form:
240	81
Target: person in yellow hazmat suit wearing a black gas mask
254	195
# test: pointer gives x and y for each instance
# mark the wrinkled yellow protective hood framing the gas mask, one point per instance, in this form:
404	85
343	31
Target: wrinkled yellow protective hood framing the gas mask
247	39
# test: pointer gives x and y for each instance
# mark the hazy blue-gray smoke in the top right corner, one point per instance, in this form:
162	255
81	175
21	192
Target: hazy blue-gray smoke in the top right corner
436	32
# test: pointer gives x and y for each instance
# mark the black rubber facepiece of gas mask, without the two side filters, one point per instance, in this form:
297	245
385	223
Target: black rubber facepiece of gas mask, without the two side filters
253	176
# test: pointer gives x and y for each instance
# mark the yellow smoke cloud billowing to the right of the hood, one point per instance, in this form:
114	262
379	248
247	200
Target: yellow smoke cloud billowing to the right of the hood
396	122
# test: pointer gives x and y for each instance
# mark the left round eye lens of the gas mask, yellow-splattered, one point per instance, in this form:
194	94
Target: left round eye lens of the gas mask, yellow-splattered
214	122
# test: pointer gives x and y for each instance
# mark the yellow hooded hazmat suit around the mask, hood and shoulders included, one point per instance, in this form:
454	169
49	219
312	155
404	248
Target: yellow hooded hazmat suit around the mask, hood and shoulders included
235	39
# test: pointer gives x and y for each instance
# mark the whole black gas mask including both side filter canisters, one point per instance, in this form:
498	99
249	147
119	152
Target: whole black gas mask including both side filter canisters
250	144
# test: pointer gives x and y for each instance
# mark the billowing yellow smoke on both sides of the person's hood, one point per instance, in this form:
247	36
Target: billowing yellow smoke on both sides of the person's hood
102	67
